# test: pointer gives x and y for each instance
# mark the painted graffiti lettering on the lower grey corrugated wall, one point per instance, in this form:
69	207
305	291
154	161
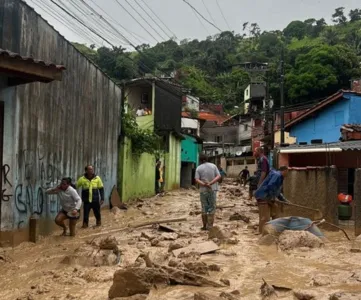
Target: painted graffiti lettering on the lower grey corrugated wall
24	185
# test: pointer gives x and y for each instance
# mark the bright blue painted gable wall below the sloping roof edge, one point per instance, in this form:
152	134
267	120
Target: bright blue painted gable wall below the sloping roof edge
325	125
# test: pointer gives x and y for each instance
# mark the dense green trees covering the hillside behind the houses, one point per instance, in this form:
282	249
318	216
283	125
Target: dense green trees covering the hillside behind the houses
320	59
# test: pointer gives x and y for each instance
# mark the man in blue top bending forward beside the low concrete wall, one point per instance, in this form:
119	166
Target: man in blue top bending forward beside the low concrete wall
269	189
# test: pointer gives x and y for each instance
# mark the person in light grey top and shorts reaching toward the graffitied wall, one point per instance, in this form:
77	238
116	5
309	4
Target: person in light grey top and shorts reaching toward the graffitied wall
70	202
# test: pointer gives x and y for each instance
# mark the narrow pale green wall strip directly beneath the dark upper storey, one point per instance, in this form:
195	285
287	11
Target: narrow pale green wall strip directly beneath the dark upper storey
173	164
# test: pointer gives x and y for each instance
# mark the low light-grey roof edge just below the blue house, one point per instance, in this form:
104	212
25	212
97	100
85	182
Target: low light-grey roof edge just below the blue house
330	147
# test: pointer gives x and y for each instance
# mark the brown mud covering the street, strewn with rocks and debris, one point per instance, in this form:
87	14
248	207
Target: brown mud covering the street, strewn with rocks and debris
83	267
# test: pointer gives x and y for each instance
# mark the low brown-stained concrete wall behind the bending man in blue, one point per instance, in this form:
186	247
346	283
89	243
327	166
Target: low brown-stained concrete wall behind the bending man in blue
315	188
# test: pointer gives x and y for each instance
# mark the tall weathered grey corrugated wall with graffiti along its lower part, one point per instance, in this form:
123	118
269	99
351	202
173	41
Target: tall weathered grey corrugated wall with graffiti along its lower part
52	130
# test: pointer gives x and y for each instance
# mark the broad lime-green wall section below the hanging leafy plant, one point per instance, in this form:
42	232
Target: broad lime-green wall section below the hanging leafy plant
137	174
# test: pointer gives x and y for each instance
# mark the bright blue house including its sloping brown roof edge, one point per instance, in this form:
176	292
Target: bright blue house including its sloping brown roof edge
324	120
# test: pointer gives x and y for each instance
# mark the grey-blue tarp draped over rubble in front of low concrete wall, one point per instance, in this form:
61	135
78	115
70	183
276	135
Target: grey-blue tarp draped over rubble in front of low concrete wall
295	223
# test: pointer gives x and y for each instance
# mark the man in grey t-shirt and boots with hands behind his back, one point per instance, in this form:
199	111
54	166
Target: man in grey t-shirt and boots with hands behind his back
207	176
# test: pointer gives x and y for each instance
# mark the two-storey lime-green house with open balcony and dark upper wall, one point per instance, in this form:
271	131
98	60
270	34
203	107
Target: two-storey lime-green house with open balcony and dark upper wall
158	97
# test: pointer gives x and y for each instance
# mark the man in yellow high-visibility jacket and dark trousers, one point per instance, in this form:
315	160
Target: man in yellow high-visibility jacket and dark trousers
92	194
